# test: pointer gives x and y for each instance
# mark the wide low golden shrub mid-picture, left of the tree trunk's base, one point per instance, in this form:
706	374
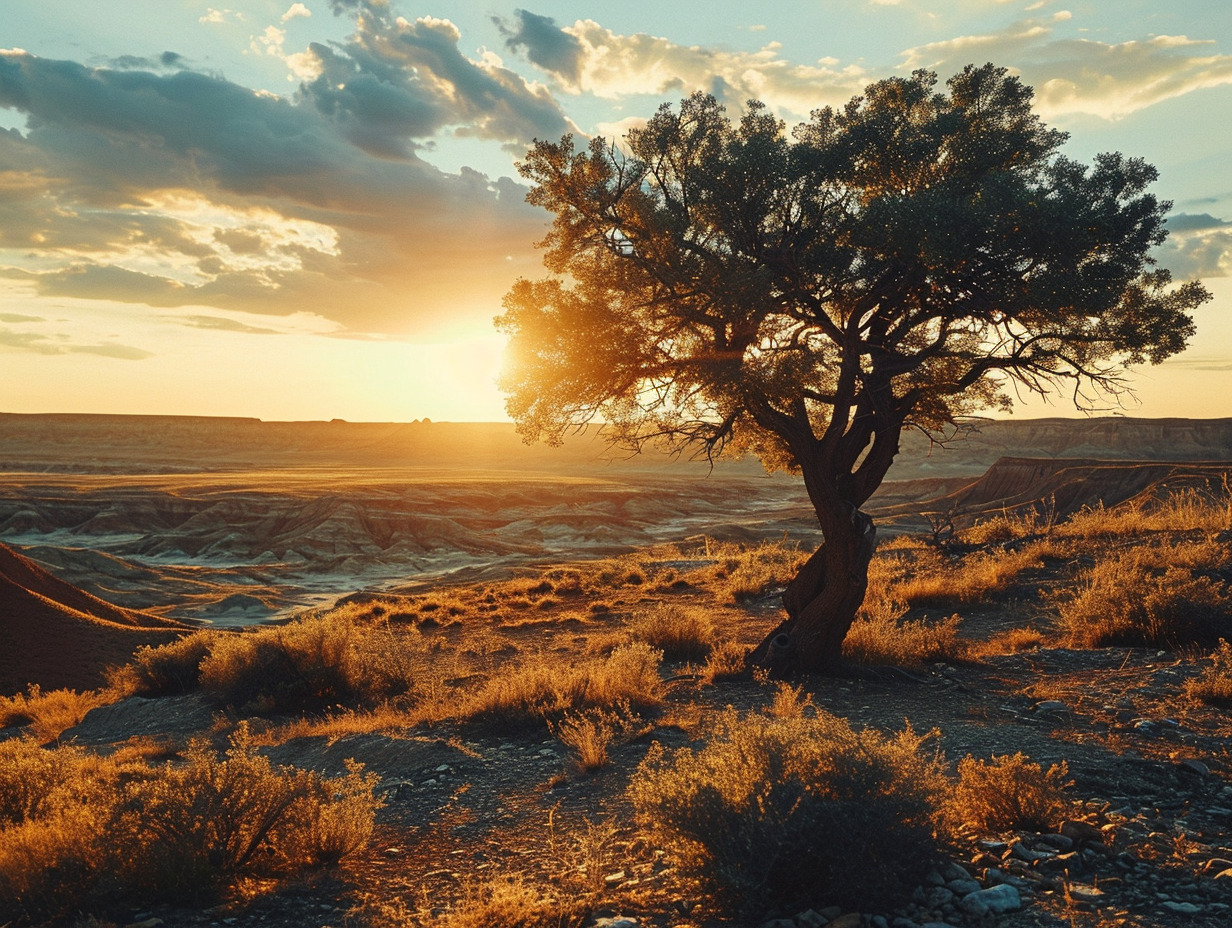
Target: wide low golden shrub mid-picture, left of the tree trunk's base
541	691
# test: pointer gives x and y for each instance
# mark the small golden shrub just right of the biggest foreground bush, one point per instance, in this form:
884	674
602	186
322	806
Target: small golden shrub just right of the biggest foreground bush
1010	793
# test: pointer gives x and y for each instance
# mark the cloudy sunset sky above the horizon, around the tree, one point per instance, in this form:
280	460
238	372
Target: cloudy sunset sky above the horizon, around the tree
311	210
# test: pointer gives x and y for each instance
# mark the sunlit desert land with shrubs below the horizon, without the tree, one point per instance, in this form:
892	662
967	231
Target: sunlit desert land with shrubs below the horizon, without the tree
456	680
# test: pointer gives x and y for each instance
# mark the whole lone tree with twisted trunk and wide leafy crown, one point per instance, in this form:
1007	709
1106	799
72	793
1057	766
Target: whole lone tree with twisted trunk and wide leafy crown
909	259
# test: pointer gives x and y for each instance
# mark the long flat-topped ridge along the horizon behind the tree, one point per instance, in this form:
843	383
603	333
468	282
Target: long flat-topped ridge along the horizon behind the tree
66	443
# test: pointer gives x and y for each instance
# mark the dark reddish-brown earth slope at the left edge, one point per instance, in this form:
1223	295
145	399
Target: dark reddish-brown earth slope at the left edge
59	637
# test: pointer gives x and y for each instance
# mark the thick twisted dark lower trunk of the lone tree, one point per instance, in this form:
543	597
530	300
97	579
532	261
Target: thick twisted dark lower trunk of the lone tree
822	602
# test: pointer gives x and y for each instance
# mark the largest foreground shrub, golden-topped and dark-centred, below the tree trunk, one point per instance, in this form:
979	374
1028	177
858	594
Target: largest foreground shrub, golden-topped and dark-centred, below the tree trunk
798	812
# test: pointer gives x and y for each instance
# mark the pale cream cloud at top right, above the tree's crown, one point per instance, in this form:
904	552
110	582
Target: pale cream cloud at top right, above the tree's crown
1081	76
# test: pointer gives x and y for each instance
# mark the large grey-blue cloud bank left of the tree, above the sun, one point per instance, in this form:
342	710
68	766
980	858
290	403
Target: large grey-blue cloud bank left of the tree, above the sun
184	189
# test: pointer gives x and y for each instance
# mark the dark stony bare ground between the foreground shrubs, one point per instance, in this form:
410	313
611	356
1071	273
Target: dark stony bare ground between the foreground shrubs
1149	841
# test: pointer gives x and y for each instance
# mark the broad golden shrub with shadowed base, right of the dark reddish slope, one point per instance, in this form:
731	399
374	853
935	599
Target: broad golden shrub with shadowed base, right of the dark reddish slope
309	665
